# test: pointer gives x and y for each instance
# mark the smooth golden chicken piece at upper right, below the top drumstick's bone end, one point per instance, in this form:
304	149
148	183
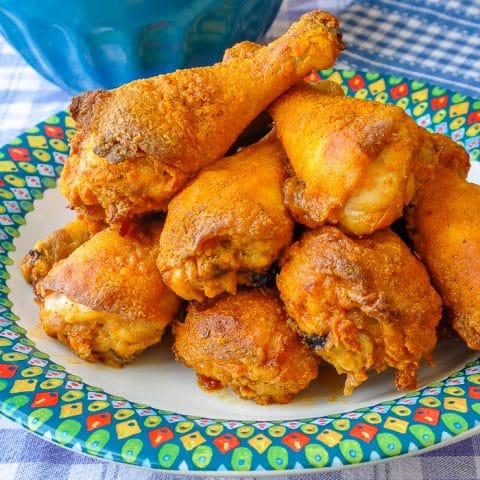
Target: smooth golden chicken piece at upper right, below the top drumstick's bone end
352	158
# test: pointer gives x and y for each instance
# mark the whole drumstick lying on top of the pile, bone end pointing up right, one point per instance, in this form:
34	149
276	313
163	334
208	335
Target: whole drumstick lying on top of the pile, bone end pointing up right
137	145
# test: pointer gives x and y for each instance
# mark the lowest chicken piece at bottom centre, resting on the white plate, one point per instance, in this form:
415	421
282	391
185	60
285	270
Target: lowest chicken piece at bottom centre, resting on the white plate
243	342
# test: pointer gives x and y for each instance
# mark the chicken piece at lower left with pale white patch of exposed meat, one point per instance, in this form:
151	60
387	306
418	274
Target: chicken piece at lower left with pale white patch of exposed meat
107	301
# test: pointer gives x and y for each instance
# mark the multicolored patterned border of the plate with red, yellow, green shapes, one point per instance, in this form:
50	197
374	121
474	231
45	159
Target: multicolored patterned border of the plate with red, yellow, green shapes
49	401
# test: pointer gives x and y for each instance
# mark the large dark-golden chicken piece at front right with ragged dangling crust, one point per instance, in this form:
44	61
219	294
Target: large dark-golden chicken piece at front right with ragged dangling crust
361	303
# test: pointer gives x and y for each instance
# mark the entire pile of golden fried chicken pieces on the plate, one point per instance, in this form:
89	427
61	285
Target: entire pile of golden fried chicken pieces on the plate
267	249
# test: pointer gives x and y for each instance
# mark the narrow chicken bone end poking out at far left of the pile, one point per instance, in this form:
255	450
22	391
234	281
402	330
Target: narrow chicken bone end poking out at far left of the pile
58	245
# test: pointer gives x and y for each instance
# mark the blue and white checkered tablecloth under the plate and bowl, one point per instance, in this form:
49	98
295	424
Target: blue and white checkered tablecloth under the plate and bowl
432	40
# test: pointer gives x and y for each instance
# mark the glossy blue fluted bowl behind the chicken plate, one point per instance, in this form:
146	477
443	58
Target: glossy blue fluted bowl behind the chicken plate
86	44
